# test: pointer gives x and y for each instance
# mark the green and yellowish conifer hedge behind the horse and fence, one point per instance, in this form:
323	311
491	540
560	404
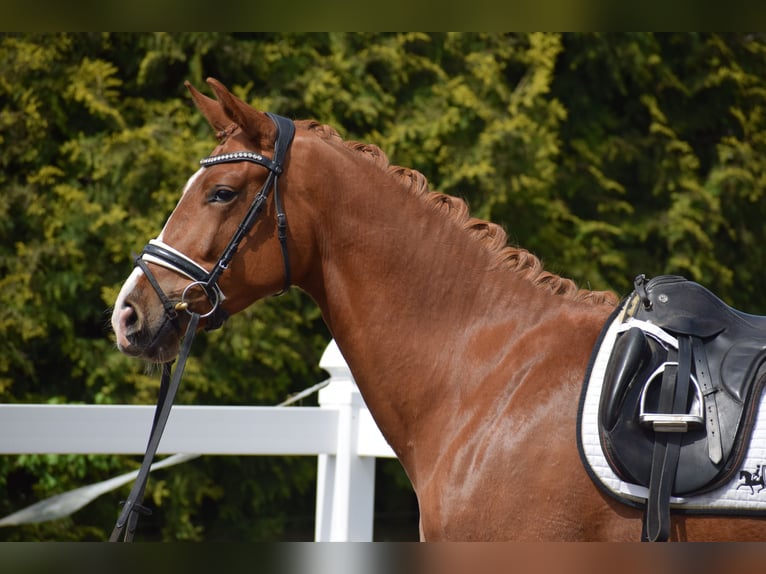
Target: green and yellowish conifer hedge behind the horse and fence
607	155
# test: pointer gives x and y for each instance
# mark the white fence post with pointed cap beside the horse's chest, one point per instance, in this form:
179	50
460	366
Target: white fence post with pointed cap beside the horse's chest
345	481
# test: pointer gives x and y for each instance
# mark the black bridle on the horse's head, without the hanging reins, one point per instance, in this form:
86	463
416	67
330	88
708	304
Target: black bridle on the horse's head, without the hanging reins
164	255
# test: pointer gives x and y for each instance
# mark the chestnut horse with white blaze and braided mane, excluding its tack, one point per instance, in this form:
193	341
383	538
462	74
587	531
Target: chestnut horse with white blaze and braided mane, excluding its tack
469	355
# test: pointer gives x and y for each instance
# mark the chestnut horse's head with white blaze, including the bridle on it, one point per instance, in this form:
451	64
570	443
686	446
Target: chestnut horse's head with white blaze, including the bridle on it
224	245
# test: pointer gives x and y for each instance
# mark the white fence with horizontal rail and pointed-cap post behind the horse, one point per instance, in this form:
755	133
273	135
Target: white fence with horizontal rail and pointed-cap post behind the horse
340	432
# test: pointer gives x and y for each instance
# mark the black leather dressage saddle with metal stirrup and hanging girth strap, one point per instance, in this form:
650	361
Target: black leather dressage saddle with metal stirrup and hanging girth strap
681	391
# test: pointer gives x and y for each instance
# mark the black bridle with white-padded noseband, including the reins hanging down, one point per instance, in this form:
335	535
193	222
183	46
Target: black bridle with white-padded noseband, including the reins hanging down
159	253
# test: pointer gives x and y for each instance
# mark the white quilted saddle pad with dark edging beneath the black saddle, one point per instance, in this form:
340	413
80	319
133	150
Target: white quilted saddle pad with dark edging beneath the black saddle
744	494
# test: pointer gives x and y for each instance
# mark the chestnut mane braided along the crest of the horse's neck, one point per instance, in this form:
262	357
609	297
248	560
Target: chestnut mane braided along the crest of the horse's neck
491	235
